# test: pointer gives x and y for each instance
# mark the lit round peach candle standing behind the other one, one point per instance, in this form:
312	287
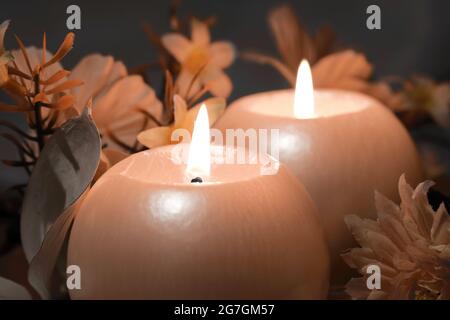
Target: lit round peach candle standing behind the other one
341	145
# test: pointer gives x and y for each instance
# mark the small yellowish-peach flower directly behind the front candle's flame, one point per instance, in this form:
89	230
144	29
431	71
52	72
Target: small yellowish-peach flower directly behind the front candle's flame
183	119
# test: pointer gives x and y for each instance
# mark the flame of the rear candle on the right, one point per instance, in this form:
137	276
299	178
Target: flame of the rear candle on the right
304	92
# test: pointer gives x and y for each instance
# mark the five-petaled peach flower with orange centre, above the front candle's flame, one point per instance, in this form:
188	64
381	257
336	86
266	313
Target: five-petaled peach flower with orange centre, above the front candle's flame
201	61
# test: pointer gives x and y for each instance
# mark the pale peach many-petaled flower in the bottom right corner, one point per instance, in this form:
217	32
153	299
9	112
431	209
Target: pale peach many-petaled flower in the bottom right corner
410	244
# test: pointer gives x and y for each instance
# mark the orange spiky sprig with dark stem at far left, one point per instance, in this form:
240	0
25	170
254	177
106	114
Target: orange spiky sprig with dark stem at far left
32	90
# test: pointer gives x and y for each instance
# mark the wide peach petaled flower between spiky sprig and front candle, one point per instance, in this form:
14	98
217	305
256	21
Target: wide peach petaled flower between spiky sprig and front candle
119	100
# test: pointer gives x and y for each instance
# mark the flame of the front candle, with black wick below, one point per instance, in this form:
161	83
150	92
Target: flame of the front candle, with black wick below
199	159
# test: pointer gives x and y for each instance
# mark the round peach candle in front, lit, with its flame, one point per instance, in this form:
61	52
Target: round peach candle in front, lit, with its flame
151	228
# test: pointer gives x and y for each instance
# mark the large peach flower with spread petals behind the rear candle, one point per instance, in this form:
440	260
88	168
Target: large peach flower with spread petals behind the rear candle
344	69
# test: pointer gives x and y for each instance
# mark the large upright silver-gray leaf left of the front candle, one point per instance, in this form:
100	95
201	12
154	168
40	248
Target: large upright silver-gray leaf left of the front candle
65	168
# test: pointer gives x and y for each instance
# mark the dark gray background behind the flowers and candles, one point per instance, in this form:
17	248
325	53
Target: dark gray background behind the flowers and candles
414	37
